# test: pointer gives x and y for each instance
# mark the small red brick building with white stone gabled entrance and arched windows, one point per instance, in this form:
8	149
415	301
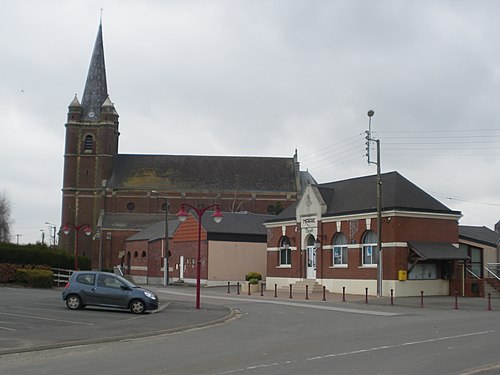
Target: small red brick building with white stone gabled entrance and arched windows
330	237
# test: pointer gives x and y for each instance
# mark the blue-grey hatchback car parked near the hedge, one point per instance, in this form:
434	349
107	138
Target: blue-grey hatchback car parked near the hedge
105	289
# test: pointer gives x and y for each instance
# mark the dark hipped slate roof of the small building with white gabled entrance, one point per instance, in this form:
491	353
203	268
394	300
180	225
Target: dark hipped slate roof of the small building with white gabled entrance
360	195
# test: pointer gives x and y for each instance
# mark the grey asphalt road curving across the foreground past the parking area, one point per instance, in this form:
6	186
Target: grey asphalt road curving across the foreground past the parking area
272	336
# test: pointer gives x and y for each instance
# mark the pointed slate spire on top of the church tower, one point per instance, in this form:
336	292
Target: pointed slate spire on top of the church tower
96	90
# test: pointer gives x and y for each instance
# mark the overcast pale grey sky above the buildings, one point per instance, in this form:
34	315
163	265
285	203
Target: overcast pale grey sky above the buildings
261	78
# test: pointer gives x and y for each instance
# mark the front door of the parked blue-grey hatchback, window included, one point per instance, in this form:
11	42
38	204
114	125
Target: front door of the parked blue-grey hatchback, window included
110	291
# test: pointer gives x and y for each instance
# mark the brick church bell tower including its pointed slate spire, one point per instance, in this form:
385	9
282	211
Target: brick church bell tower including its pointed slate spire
90	146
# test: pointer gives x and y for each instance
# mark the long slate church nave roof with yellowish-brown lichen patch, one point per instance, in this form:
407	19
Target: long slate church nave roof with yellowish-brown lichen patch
203	173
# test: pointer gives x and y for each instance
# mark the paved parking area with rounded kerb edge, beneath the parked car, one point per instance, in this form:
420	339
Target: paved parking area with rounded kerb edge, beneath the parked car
34	319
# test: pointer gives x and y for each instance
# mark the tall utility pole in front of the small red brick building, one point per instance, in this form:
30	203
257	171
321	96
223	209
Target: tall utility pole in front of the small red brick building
370	139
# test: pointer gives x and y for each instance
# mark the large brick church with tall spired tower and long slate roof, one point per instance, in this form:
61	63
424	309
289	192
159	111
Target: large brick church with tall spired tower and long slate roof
107	197
